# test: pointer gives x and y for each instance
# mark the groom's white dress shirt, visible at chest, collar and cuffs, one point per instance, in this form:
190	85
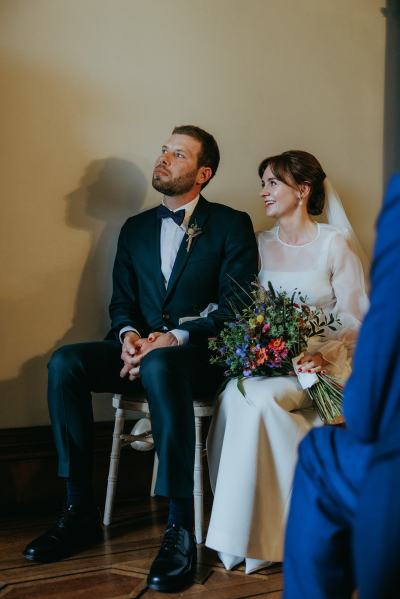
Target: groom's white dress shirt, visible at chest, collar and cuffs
171	236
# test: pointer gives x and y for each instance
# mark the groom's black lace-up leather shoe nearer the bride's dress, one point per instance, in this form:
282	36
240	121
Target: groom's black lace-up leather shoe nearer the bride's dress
173	568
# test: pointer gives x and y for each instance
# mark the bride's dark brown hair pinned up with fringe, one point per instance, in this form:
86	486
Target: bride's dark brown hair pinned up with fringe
296	167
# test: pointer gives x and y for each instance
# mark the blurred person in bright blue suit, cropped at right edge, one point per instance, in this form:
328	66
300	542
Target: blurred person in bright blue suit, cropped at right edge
343	530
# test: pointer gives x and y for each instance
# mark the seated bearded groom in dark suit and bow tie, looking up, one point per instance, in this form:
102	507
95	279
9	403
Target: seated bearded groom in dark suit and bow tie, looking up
172	262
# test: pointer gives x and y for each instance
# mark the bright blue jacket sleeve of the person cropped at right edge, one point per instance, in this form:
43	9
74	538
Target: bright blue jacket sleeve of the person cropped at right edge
372	396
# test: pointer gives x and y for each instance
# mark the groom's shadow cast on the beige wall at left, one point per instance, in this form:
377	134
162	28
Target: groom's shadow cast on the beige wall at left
110	191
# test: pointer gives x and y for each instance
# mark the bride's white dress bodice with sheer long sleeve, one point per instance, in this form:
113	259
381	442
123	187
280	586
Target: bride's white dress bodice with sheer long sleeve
329	275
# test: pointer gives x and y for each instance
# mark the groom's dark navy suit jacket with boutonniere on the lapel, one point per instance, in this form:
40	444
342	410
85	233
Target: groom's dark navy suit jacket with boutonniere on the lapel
226	249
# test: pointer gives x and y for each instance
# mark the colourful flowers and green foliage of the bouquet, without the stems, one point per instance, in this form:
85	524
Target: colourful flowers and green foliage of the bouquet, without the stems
268	329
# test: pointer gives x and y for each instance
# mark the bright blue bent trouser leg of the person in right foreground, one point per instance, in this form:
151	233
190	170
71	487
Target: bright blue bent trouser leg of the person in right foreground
318	560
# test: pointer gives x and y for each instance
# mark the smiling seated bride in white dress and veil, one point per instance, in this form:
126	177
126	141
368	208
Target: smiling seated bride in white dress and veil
252	442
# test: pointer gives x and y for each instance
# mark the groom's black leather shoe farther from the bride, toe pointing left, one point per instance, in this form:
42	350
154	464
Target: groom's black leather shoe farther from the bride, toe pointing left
74	530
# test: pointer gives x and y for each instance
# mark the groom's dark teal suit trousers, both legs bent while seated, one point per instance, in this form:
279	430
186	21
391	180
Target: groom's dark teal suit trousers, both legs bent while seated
171	377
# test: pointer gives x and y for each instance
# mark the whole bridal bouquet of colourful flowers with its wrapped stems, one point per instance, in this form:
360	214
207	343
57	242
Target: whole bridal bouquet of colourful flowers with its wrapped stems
268	334
